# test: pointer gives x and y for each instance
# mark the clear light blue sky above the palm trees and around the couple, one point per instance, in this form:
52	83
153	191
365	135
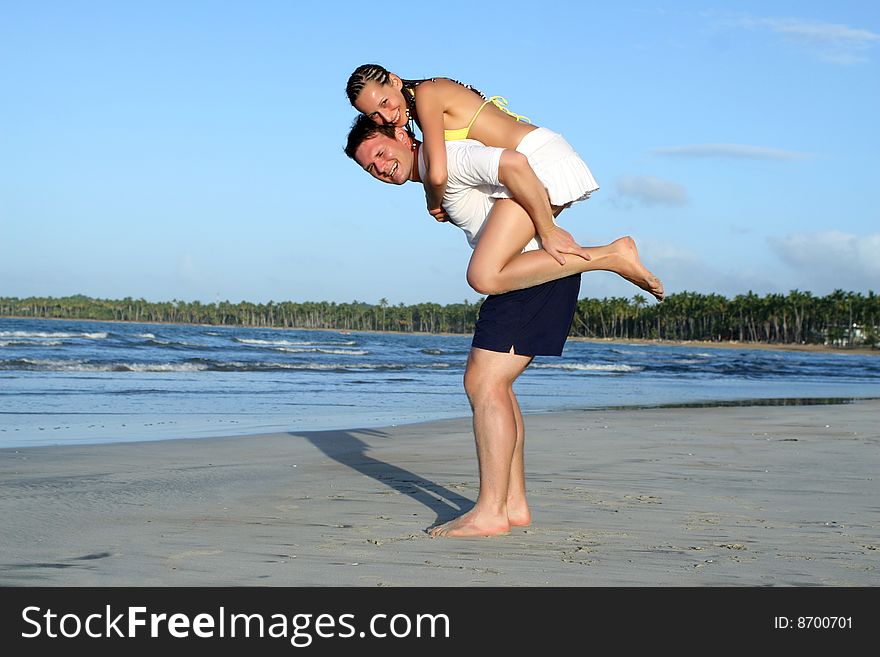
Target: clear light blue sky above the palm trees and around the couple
193	150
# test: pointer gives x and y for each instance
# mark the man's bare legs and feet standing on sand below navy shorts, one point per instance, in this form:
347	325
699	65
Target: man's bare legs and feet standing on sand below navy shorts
488	381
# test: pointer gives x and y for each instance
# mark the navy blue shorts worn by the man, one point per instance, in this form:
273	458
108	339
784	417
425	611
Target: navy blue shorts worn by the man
534	321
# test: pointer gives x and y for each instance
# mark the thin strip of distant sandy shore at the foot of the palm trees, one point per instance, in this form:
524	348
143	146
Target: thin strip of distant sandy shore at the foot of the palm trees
732	344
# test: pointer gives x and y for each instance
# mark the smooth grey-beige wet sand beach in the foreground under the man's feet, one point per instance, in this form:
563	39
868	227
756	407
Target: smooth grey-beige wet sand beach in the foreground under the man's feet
730	496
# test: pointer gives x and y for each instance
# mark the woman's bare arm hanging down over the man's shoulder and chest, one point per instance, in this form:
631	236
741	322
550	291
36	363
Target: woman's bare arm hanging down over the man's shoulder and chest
430	108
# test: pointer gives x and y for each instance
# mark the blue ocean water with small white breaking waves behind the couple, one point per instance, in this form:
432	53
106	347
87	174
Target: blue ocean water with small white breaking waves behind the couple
66	382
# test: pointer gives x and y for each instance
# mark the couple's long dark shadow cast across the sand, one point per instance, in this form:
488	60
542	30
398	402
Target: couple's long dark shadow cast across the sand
346	448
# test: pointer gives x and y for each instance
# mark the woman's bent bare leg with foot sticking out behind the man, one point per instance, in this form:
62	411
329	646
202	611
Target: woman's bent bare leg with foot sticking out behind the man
498	264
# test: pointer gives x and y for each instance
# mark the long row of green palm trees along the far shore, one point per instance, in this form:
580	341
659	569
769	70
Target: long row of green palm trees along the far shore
842	318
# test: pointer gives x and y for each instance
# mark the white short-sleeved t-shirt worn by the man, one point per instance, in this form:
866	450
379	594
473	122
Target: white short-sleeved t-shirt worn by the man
472	187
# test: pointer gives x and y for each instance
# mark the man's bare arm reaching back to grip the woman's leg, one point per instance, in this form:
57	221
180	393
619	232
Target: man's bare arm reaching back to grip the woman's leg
515	173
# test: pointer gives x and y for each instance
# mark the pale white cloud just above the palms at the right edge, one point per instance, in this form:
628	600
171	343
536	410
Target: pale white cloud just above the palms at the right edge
832	259
